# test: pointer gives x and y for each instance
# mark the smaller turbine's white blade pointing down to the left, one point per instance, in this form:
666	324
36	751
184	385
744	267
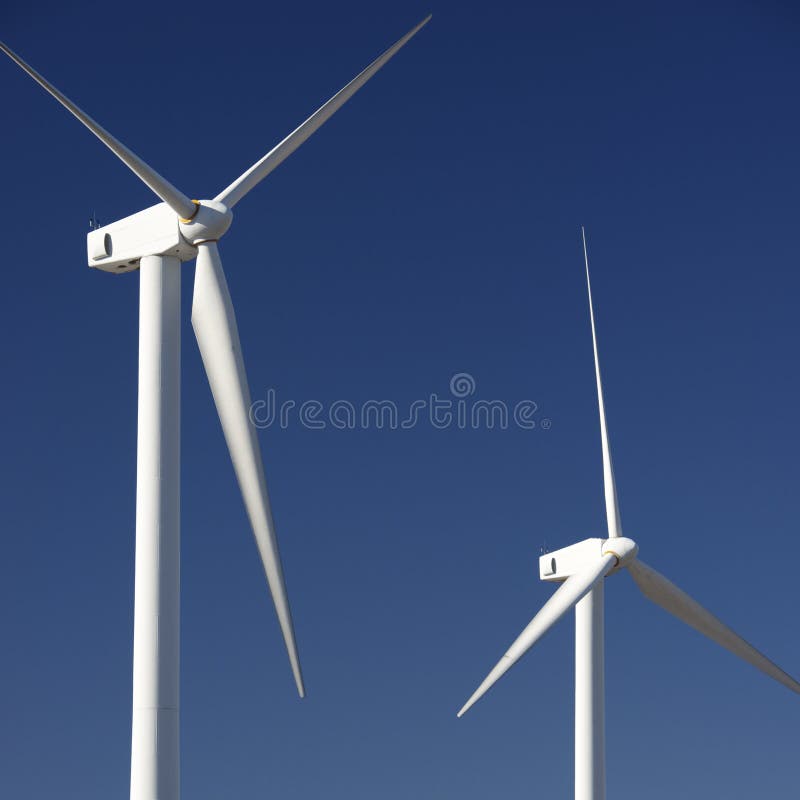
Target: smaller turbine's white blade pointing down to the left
568	594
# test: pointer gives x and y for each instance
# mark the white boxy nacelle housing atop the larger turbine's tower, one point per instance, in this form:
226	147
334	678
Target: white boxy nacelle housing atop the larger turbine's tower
118	247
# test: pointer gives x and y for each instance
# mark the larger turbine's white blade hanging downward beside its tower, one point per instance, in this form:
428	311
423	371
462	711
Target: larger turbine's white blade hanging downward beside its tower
214	325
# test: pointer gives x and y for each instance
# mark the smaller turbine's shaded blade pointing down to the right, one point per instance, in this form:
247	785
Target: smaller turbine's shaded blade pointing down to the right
666	594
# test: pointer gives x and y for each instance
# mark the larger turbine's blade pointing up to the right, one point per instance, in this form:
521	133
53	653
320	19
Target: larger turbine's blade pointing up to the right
244	183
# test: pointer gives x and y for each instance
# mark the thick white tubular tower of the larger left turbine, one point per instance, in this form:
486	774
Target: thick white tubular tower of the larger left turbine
155	768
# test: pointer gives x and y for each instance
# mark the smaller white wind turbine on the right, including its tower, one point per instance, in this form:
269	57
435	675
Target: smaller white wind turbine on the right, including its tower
582	569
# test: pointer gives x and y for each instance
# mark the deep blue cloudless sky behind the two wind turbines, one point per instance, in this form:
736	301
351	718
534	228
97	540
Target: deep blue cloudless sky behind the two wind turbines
431	227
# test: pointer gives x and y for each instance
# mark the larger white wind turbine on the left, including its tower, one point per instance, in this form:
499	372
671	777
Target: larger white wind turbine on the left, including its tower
157	241
